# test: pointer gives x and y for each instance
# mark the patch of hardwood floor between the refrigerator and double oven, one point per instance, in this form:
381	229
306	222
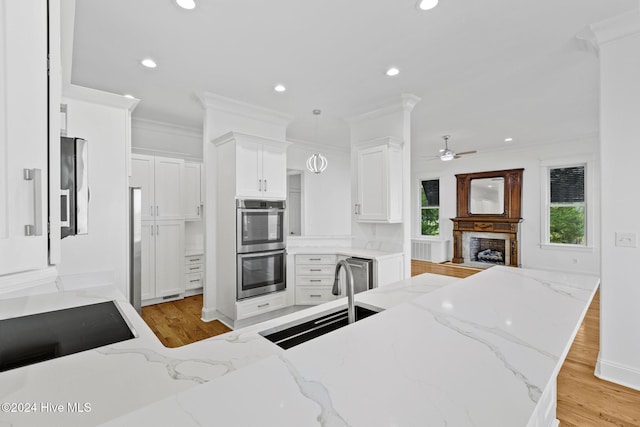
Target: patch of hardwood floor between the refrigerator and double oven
178	323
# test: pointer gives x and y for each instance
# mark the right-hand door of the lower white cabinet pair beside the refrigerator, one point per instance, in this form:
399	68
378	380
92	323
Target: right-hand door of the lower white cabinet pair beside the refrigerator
169	258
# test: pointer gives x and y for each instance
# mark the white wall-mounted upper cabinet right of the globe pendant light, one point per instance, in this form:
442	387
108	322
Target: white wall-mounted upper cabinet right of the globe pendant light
379	184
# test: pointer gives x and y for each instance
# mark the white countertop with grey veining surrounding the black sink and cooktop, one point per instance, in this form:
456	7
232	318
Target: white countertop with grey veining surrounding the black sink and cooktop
480	351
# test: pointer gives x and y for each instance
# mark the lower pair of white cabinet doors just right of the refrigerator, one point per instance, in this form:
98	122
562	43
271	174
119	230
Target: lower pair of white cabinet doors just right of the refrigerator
162	259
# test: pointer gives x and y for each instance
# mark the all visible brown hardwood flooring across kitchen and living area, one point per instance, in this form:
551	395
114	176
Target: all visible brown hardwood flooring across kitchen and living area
583	399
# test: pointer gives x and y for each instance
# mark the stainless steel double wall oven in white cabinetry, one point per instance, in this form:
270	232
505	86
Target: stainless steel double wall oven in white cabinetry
260	247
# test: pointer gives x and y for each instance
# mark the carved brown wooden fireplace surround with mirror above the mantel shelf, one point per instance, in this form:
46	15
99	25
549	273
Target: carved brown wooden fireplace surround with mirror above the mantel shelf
502	224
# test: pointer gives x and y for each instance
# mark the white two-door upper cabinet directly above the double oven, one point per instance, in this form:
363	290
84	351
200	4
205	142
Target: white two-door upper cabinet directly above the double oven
260	167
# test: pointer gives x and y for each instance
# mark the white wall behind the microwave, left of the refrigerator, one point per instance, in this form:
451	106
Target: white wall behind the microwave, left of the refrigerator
102	254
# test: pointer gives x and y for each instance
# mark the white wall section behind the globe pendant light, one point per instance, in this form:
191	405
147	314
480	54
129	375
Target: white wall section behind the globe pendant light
327	196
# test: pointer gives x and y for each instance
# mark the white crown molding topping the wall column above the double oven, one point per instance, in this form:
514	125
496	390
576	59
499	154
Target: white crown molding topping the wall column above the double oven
211	101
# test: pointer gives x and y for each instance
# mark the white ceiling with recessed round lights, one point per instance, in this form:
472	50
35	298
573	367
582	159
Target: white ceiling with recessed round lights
485	69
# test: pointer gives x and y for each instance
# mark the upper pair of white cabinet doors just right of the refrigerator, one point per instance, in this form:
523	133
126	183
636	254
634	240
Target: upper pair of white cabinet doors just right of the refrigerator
161	180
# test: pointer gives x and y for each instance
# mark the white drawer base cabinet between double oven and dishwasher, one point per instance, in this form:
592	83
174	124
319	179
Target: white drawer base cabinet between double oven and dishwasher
314	279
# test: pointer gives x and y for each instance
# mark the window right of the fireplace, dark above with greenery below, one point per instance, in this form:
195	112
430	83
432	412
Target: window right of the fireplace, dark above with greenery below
567	205
